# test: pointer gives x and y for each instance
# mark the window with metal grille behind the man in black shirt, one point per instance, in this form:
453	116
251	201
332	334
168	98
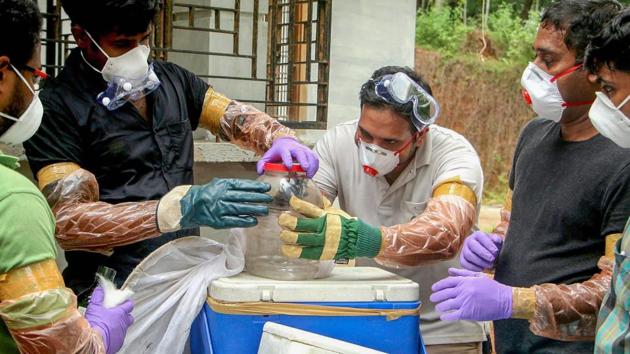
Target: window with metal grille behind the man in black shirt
287	76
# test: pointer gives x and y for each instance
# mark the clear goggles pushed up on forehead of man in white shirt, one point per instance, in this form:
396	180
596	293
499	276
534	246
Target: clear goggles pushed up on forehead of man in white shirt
400	88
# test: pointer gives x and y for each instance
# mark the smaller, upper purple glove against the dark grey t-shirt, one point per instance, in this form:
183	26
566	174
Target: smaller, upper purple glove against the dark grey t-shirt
480	251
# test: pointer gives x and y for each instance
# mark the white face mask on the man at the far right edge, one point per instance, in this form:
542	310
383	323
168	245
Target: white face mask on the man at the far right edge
610	121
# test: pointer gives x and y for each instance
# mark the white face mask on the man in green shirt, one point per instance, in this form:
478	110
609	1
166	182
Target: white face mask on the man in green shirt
27	124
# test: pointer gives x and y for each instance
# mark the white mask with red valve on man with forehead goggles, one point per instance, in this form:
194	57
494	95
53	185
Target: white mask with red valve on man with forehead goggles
377	161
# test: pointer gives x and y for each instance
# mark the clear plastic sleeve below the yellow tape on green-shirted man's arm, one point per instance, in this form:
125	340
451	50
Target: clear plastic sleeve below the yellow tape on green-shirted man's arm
49	322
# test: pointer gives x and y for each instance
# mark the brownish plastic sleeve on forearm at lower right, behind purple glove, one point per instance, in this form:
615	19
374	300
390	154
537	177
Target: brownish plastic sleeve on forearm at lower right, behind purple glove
569	312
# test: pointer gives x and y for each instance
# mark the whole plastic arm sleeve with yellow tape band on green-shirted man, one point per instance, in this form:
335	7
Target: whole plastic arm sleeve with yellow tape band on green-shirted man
41	314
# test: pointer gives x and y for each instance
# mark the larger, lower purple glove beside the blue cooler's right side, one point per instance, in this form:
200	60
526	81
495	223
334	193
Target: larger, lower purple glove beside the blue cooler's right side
467	295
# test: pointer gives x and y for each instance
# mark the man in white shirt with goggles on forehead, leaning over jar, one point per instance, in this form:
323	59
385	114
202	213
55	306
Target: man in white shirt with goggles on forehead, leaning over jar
412	187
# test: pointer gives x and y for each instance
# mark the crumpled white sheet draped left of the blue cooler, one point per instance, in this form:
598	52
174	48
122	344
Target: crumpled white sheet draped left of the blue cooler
170	288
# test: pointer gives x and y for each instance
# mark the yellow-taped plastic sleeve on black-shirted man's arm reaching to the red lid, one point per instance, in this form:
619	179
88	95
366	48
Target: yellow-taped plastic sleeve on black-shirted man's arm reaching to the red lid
240	124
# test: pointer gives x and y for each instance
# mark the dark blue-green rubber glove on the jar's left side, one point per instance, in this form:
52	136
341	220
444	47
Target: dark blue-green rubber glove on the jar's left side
225	203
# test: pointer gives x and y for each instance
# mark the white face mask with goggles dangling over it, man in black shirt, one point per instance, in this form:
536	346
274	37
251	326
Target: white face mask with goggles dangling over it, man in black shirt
130	76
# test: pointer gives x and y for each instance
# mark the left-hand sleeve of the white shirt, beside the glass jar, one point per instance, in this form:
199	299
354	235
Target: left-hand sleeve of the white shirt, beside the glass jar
326	177
